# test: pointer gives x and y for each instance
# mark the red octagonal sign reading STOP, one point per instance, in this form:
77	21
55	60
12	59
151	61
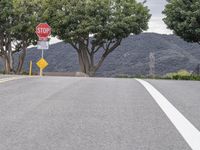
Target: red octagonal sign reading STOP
43	30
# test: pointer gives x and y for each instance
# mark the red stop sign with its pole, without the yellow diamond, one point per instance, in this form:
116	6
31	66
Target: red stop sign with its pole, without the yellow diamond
43	31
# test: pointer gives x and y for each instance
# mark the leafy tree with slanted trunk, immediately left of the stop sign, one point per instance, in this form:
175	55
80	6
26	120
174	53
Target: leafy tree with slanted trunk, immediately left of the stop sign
27	16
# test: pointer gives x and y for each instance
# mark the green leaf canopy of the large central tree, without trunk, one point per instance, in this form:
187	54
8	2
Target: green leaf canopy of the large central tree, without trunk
104	19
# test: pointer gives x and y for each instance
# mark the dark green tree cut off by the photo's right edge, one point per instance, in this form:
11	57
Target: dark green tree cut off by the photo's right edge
183	17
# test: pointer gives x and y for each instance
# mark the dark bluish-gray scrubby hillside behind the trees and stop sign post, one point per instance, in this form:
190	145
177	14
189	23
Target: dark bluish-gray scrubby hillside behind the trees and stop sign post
132	57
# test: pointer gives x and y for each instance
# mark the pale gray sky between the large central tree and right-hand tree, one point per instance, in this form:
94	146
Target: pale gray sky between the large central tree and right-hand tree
156	24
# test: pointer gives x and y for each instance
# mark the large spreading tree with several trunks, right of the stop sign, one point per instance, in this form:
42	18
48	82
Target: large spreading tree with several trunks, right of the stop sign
96	26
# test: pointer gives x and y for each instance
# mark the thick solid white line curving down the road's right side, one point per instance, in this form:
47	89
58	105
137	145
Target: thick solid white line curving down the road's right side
190	133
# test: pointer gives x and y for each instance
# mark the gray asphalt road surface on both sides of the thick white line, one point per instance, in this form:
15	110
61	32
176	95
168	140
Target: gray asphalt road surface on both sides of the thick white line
58	113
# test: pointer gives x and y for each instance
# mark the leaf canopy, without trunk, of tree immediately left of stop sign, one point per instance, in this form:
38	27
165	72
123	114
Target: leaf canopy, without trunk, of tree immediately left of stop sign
26	19
